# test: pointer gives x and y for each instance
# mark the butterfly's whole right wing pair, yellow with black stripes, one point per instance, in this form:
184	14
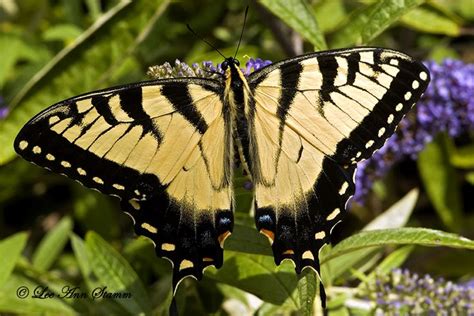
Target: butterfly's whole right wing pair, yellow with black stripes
312	118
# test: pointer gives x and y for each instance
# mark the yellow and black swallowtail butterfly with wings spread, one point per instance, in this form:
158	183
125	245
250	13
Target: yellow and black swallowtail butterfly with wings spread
166	148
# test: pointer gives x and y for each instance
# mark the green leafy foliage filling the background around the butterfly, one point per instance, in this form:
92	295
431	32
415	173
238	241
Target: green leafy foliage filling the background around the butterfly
73	244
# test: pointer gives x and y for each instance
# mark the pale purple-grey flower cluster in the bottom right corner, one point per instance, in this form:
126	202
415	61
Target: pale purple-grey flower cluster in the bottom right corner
401	292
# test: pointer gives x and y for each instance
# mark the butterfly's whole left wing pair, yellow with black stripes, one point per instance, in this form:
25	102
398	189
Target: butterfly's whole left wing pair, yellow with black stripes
163	147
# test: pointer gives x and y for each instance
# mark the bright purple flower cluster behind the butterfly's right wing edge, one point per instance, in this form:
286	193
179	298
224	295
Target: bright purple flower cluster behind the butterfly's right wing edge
447	106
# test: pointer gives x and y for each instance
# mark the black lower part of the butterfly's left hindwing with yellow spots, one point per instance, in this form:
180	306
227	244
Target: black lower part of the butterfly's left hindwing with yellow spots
191	240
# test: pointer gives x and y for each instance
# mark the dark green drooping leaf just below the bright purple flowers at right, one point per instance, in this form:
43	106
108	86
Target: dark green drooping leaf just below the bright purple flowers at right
440	181
